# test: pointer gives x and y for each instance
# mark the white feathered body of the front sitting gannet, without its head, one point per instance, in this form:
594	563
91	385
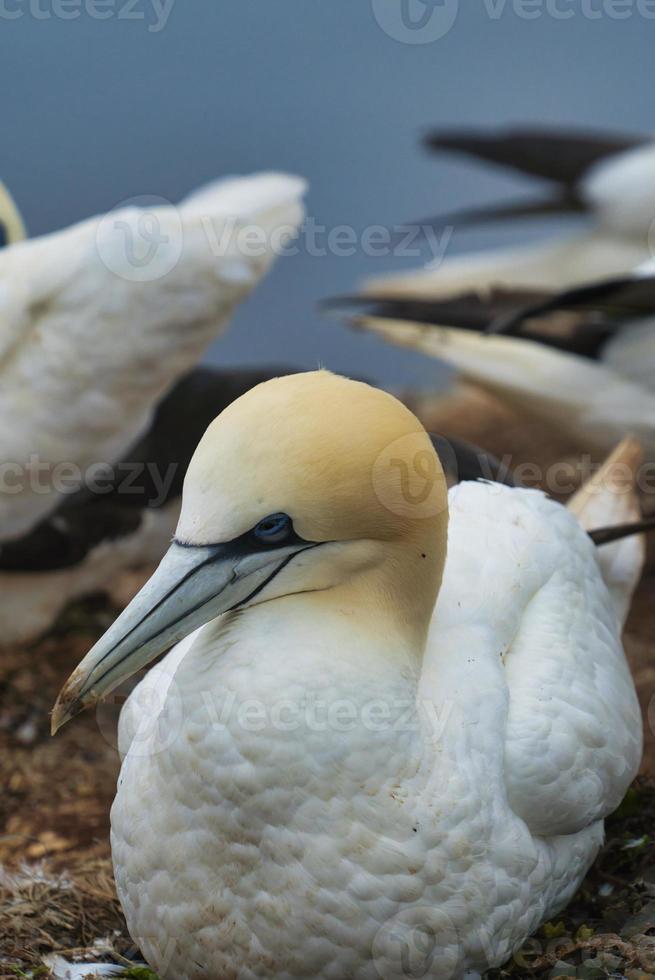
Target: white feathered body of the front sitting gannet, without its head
338	790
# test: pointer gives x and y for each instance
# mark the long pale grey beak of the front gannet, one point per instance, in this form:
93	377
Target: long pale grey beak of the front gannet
191	586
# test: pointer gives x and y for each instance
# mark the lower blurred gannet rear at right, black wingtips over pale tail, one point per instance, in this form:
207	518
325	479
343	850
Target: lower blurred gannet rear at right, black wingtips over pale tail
582	359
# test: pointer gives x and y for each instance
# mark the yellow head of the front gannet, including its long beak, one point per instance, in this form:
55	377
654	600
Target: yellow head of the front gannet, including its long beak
306	484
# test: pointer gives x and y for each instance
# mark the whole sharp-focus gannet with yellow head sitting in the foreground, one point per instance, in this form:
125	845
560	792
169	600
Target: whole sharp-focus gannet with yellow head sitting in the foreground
491	718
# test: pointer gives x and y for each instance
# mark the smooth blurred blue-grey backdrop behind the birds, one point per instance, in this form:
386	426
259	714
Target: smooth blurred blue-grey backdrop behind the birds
96	111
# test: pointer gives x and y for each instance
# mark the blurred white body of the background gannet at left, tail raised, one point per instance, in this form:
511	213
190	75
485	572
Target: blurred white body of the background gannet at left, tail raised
99	320
